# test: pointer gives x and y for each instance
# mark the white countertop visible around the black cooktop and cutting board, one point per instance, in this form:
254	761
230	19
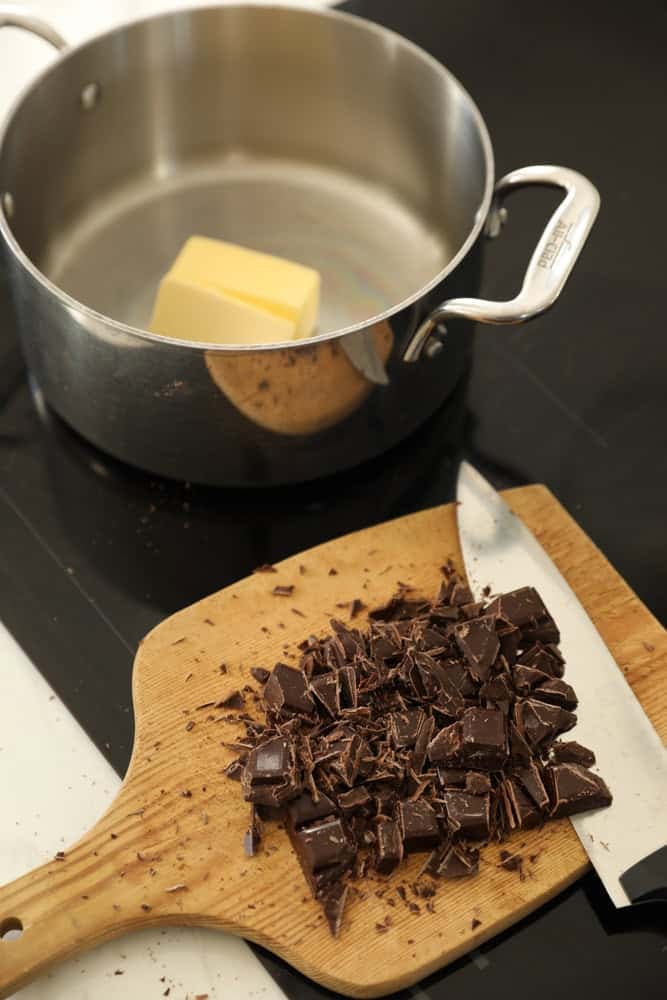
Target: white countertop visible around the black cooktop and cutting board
55	789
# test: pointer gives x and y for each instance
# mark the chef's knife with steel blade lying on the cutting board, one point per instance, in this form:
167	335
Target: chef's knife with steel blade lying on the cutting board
627	842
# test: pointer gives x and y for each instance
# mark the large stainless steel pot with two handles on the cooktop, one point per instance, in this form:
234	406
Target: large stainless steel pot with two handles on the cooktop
315	135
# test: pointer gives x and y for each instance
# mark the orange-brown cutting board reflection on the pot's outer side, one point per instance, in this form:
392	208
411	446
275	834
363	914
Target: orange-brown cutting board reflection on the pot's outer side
299	390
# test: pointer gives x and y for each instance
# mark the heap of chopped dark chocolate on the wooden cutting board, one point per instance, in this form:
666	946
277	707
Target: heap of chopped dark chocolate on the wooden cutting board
433	729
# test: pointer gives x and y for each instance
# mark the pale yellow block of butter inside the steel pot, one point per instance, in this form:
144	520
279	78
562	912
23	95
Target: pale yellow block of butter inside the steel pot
226	294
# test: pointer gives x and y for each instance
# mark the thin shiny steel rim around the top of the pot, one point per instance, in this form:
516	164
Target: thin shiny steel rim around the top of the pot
361	23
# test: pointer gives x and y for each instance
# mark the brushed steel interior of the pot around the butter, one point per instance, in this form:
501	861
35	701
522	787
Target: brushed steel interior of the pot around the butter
315	136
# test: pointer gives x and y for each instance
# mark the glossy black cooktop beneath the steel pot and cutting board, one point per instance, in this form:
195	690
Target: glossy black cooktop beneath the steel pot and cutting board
93	554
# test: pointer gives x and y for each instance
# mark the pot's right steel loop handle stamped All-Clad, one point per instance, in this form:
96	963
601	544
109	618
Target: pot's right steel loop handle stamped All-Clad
549	267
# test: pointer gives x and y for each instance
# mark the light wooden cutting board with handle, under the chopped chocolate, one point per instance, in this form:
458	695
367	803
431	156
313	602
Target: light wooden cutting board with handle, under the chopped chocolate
169	850
